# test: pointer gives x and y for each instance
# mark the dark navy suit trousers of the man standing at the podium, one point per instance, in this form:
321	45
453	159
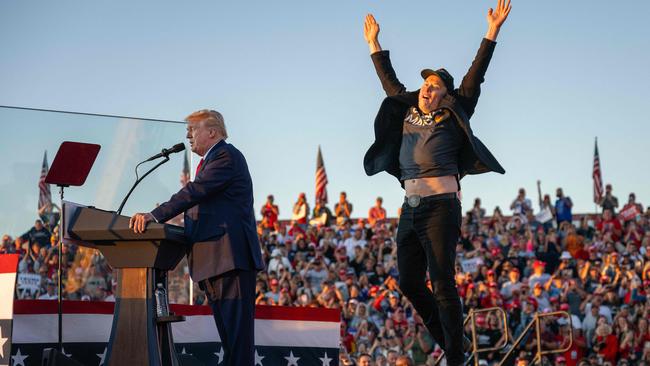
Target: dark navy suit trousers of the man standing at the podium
232	298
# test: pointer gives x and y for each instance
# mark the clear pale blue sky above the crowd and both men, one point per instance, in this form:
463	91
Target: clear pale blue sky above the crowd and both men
290	75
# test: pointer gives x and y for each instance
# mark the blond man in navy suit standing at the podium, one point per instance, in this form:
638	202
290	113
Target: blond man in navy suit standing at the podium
220	223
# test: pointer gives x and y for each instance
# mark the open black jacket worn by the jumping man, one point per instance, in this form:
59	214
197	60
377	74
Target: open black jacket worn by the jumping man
383	155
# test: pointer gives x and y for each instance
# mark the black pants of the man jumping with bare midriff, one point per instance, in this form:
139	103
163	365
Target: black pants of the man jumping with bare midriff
426	240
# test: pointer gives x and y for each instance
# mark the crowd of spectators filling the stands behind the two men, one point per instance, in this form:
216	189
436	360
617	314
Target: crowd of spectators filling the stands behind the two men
535	259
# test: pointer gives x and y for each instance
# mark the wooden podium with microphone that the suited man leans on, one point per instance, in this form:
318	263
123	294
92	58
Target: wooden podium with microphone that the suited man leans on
138	335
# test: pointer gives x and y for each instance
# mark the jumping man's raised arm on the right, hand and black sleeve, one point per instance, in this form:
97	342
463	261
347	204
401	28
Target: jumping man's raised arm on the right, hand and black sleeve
470	88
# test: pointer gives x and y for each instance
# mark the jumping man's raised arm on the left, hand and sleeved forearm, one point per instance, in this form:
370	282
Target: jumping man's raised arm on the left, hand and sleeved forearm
381	59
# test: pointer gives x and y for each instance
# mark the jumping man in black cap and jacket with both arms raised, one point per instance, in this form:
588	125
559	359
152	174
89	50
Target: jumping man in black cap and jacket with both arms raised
424	139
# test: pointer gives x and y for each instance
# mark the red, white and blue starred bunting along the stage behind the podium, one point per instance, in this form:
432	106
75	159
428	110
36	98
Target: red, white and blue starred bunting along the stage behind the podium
290	336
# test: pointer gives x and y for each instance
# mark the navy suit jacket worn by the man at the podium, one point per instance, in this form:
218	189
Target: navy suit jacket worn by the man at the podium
219	218
